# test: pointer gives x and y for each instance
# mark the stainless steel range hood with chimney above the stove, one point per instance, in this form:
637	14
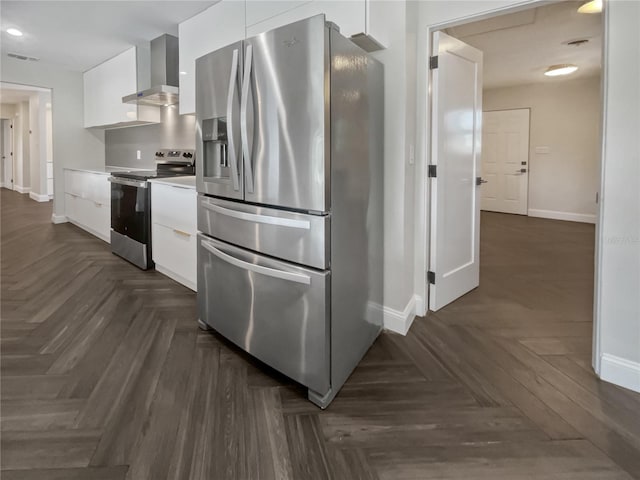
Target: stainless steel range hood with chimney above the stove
164	75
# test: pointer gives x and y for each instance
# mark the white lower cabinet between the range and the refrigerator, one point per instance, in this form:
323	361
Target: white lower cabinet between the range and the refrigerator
173	232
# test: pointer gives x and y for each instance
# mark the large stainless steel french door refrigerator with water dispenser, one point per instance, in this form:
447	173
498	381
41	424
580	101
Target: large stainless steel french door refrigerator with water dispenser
290	208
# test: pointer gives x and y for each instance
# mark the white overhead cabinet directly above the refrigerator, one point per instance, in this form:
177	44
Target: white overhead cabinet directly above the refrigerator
348	15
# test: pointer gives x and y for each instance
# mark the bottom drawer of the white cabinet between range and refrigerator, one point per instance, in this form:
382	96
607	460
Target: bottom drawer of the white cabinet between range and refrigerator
174	252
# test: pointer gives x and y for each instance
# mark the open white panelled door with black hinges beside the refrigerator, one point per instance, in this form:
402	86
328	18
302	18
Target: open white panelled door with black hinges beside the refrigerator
455	151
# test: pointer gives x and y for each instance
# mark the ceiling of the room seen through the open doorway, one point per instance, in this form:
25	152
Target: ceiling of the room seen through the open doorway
519	47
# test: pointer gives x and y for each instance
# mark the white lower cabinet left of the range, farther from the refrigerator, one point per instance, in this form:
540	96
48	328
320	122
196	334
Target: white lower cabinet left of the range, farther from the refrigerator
87	202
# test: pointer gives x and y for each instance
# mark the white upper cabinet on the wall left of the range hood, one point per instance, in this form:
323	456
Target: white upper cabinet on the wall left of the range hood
107	83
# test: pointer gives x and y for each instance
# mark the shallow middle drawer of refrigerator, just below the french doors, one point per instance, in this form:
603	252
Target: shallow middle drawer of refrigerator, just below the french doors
295	237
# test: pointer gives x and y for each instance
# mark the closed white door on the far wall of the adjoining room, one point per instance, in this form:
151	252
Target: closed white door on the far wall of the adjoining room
505	161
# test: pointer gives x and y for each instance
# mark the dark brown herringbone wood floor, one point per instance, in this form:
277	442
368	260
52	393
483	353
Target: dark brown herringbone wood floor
105	375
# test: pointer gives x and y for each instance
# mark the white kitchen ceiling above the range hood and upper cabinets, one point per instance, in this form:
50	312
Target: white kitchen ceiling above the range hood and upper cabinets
78	35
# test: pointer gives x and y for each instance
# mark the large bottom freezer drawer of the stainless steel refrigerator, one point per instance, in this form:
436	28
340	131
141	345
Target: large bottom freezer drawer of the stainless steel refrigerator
275	311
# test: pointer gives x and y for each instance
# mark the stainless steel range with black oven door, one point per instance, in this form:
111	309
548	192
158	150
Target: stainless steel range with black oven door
131	204
